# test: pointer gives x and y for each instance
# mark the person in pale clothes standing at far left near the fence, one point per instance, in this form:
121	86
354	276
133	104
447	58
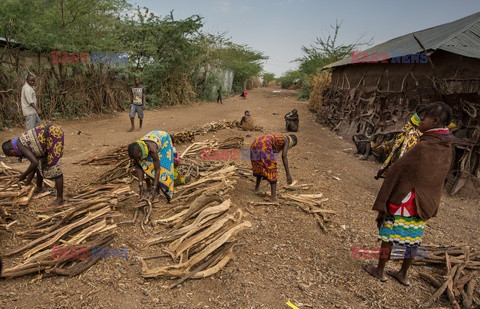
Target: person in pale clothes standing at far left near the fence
29	103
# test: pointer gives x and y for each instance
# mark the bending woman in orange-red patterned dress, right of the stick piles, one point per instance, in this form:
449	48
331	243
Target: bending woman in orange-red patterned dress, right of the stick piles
263	154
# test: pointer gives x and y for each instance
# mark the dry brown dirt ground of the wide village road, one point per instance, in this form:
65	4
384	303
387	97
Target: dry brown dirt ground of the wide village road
283	257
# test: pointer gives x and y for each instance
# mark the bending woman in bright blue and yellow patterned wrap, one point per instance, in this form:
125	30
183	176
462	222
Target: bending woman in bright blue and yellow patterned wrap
153	155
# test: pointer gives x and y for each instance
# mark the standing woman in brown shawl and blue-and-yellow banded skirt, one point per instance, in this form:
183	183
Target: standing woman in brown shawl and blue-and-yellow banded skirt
412	189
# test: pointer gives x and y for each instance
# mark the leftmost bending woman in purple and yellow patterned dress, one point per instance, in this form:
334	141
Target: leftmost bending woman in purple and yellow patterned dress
43	147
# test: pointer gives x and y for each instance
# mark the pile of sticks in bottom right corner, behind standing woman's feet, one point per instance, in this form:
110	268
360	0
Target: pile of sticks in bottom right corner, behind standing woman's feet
461	265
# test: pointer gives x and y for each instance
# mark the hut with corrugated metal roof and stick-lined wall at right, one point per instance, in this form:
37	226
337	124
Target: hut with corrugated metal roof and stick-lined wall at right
438	63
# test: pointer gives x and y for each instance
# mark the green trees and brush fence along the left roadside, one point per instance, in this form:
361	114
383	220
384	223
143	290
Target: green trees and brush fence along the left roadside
176	59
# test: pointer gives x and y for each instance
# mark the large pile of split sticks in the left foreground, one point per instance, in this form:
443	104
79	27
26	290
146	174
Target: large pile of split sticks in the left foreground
63	240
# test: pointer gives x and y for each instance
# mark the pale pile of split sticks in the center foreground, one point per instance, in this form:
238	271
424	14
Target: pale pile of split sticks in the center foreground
200	241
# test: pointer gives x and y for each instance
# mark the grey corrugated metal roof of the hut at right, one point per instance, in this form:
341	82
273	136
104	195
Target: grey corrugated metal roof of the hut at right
461	37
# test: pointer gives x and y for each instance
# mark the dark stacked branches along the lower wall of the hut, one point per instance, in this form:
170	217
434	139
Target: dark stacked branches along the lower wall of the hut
351	111
